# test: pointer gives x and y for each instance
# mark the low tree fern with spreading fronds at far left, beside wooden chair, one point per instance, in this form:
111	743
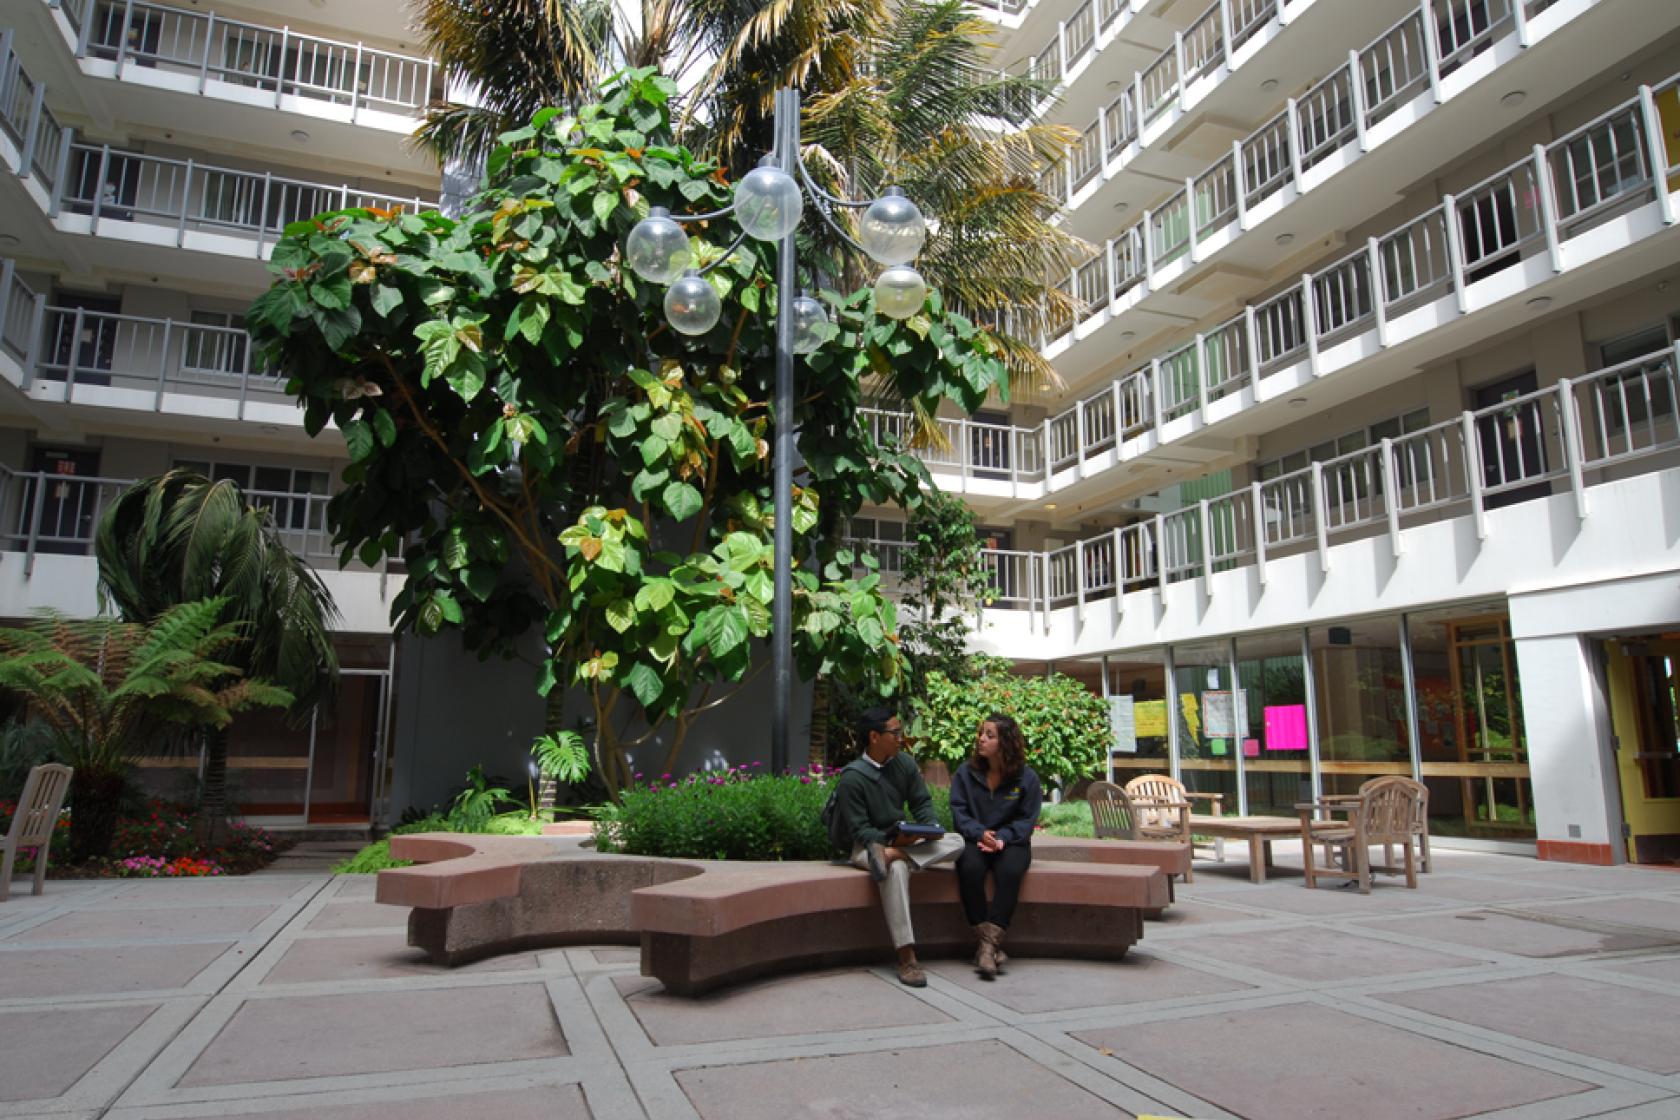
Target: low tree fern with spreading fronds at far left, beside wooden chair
108	688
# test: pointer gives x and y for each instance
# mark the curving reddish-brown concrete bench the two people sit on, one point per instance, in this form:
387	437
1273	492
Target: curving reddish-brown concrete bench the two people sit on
703	924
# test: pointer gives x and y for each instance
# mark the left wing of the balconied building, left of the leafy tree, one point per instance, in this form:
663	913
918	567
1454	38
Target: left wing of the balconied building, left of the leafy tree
152	155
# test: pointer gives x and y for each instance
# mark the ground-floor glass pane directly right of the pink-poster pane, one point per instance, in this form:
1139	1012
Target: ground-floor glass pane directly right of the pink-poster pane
1362	703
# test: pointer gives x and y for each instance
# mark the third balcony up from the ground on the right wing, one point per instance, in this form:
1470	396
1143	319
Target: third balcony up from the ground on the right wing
1328	162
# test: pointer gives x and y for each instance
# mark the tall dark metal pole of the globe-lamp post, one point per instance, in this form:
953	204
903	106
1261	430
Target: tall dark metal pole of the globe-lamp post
787	130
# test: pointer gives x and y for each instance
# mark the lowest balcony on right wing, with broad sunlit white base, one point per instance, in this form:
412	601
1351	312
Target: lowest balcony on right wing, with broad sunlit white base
1553	488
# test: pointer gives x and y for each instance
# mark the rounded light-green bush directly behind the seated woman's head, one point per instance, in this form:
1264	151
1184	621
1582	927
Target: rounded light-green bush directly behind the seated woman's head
1066	725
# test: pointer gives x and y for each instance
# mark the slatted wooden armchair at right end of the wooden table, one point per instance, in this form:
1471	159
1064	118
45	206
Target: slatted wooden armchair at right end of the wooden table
1385	812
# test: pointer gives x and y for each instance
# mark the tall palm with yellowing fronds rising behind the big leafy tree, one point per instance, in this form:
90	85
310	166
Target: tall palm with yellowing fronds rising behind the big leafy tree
896	95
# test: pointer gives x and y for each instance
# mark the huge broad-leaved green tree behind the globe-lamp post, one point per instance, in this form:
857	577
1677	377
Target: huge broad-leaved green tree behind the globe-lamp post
543	451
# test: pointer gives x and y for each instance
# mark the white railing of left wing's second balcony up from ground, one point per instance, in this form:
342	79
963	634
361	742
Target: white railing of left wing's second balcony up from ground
93	353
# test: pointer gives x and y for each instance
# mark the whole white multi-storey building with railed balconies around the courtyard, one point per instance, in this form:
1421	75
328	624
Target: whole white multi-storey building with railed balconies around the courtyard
1363	456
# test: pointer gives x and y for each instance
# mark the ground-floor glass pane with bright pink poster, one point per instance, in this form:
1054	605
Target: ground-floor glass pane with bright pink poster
1274	743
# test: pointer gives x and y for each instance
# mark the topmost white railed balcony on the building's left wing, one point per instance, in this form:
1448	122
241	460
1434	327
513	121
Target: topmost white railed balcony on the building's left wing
194	71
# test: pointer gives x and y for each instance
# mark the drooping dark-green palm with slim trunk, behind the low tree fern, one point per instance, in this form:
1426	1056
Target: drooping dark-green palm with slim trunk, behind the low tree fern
177	538
